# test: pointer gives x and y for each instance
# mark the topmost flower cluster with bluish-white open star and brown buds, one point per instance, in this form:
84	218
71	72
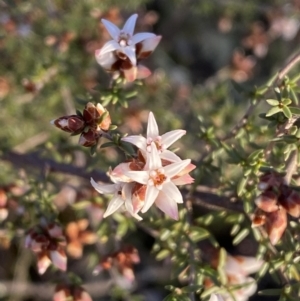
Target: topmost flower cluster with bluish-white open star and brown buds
126	50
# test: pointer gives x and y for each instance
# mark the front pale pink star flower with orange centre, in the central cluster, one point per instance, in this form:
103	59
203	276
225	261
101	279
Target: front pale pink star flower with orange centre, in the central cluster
159	185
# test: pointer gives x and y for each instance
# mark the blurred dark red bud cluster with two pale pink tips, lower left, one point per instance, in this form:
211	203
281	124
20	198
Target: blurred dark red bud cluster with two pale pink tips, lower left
47	241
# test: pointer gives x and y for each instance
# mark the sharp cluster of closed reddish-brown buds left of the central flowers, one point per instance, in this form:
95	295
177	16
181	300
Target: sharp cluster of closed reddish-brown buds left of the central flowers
90	124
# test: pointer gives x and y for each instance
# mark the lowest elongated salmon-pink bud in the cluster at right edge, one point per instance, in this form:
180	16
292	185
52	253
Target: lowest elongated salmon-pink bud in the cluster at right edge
276	223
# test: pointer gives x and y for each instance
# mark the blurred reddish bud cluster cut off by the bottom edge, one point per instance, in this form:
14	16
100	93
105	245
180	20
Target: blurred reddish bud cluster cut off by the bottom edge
65	292
